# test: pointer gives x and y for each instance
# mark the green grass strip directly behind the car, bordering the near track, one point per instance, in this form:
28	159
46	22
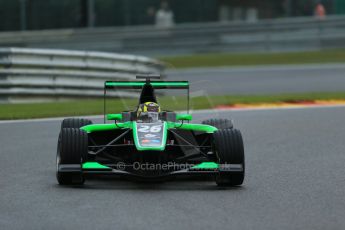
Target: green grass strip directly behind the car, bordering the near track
95	107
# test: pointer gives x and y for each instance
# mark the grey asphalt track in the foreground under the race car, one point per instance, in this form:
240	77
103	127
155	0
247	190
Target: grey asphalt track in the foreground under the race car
295	180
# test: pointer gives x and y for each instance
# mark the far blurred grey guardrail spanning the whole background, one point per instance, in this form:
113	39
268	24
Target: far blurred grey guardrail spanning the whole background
289	34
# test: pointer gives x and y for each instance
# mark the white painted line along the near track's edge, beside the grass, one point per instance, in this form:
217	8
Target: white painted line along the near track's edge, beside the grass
192	112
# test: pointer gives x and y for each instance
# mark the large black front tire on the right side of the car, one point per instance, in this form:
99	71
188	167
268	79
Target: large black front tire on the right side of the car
228	145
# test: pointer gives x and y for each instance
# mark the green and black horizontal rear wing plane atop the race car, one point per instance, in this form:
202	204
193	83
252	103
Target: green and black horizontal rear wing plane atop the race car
140	84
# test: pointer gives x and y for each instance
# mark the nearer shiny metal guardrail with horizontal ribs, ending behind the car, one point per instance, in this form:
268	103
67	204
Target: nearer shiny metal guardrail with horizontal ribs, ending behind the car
39	74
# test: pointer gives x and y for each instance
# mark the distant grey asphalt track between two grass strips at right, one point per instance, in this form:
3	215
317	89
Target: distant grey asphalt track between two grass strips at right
264	80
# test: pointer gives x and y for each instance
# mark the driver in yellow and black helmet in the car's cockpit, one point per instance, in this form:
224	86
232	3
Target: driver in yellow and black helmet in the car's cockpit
148	112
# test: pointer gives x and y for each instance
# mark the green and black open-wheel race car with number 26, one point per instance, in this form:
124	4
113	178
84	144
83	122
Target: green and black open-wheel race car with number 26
149	142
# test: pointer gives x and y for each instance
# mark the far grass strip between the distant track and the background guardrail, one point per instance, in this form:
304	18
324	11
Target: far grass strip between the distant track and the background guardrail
227	59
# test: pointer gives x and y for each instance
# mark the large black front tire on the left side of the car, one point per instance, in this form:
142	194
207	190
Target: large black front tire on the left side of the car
72	149
